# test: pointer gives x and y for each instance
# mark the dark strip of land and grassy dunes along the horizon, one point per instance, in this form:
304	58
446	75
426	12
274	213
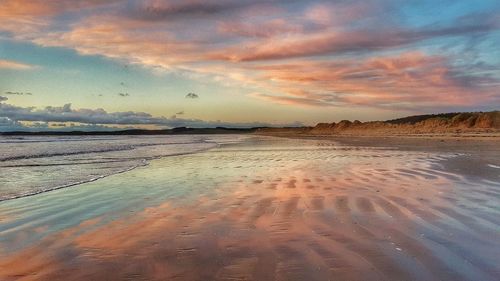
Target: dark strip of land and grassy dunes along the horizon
443	123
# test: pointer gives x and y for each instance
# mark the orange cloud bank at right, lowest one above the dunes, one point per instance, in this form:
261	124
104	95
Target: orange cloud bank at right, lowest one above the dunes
410	79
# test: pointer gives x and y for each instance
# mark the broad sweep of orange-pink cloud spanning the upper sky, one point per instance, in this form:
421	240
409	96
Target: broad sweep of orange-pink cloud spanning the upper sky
325	58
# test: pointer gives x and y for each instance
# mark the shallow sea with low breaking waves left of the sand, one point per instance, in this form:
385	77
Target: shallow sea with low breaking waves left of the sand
31	165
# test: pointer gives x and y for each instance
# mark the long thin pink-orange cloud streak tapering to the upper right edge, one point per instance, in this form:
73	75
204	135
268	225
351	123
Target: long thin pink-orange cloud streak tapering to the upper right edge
333	42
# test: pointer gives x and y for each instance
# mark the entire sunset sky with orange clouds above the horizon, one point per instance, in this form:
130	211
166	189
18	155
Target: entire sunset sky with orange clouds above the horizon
101	64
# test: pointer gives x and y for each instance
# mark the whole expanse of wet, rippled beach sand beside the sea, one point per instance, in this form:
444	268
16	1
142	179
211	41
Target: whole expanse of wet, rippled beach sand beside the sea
282	210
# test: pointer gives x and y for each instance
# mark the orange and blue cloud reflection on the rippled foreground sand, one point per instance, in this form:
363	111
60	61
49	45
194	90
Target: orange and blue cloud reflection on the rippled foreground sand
401	220
